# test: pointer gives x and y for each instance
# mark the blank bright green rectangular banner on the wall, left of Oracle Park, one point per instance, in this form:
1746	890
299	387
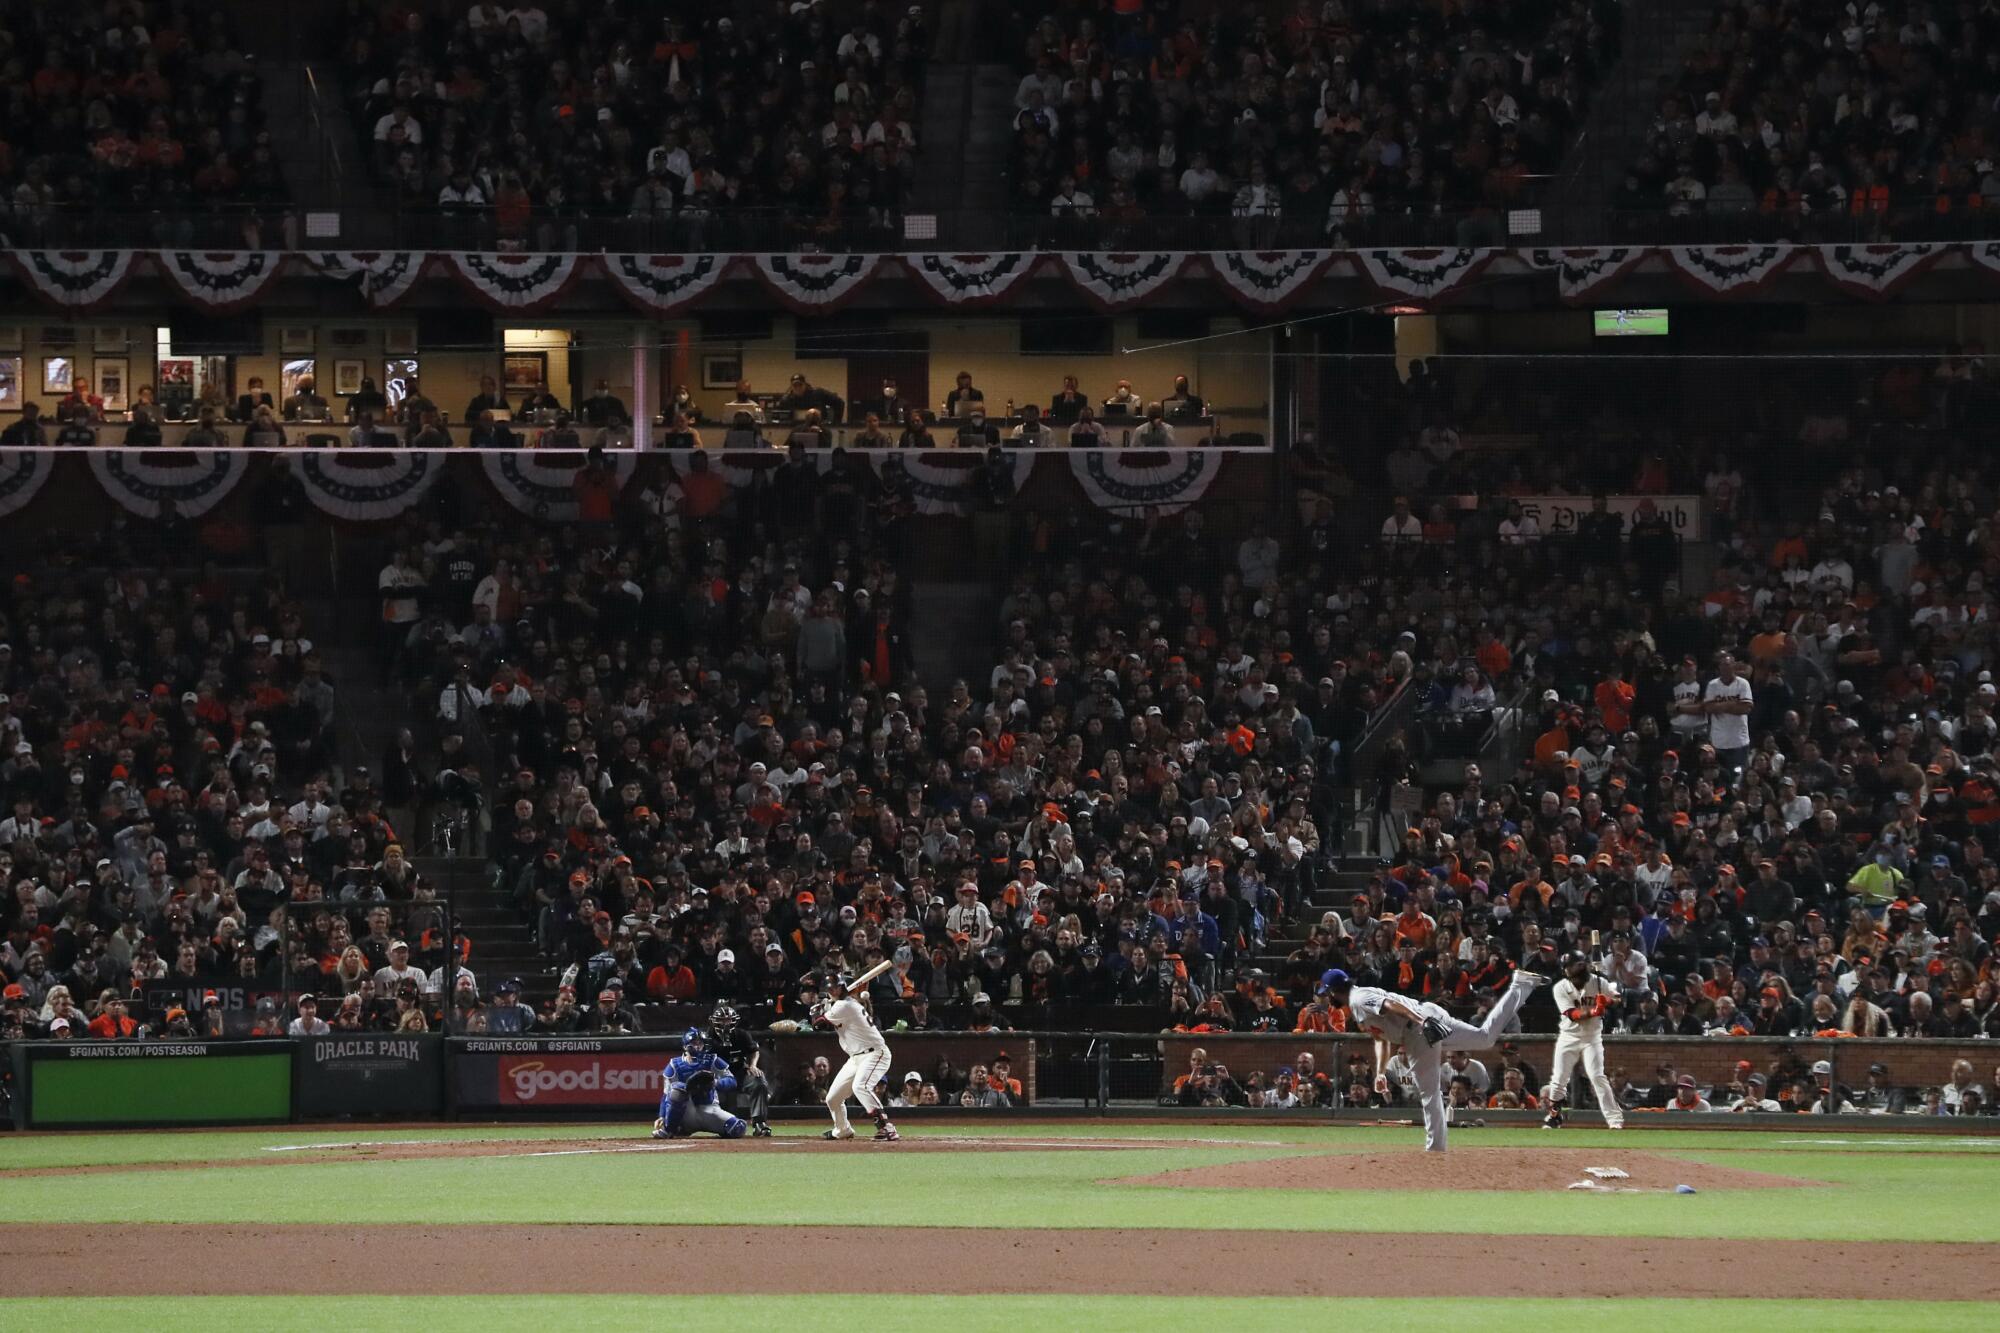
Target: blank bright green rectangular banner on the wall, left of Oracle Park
159	1084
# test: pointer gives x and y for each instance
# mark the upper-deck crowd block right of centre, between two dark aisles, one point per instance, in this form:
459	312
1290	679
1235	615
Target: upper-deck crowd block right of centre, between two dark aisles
1301	123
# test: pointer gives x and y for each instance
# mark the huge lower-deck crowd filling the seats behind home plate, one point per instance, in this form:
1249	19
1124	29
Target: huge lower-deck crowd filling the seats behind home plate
691	744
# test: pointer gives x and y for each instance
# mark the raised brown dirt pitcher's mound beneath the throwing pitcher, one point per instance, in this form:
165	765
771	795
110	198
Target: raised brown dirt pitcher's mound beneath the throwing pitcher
1493	1168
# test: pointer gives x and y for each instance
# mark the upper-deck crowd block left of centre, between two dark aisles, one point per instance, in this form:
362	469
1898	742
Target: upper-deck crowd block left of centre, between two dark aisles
525	123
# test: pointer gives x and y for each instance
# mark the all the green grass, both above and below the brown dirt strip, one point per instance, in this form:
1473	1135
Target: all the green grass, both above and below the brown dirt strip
1879	1188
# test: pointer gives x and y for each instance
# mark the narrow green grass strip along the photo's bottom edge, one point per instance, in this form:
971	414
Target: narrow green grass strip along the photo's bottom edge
895	1314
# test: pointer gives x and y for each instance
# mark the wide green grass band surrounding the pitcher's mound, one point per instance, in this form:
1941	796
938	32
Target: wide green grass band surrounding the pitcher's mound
1873	1196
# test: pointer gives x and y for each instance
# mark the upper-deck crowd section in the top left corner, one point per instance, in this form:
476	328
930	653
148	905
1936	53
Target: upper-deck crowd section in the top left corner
153	113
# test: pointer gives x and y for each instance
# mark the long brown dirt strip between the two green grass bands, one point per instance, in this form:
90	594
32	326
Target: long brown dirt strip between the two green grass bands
355	1258
